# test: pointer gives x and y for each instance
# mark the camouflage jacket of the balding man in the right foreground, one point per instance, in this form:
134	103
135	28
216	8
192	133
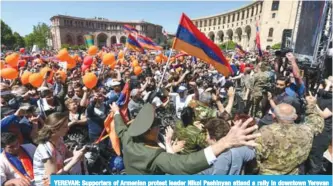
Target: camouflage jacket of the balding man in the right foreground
283	147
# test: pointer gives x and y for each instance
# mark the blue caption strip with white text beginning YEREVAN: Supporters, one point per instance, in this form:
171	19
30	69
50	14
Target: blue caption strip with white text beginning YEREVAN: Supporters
197	180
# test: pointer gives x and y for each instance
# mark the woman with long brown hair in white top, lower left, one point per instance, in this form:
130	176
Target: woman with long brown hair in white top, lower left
52	156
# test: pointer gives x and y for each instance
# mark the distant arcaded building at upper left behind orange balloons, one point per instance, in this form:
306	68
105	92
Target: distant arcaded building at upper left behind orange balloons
71	30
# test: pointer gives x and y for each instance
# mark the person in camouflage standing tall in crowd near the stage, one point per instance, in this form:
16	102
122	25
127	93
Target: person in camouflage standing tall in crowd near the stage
261	81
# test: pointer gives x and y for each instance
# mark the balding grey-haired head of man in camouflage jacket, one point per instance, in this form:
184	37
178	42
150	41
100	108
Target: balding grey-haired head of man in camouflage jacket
285	113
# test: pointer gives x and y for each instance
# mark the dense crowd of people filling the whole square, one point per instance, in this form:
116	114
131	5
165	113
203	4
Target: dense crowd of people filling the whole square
181	117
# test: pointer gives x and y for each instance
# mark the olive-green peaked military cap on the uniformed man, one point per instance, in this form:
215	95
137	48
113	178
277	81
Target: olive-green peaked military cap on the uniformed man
143	121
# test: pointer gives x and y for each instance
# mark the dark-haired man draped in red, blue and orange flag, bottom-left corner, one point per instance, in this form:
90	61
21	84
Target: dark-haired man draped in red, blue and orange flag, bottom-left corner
16	161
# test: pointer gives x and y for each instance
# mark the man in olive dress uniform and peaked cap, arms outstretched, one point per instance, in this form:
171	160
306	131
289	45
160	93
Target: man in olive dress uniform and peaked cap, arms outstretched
143	156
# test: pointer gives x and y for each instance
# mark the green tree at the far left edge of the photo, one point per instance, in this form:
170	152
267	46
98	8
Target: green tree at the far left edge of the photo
10	39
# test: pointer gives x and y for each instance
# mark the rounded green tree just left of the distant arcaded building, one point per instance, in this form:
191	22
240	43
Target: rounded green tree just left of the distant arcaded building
39	36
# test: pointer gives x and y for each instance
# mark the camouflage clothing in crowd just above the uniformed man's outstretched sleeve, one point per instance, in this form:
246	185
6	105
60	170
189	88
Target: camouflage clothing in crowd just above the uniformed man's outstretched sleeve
195	138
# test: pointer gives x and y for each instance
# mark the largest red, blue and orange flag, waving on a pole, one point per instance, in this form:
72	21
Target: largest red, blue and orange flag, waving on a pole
190	40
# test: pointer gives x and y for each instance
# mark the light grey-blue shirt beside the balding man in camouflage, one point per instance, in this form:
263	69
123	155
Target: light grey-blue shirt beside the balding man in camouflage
231	162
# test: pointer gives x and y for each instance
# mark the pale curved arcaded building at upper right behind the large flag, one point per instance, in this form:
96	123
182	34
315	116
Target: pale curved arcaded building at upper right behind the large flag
273	17
